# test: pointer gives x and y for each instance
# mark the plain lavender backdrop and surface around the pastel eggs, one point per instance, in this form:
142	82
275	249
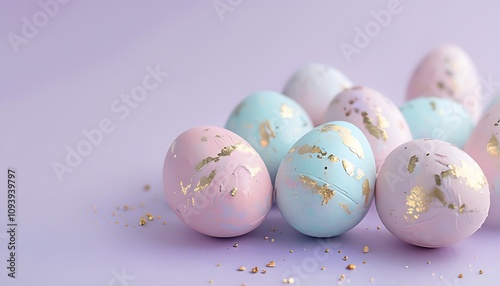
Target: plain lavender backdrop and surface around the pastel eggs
67	75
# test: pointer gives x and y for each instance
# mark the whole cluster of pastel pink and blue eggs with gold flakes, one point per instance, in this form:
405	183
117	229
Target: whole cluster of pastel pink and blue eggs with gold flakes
325	148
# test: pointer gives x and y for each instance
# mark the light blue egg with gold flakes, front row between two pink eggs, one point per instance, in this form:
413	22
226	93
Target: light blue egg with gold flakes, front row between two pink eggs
324	186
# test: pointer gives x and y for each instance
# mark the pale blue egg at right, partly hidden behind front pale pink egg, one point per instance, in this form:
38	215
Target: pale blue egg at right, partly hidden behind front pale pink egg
438	118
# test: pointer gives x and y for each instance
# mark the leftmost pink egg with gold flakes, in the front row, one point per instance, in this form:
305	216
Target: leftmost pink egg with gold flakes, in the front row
216	183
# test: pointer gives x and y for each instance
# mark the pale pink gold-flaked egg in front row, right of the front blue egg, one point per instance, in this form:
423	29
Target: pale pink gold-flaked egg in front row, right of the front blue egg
430	193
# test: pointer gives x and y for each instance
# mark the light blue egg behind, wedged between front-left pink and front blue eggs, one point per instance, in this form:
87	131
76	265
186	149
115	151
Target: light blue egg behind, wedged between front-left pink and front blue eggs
271	123
